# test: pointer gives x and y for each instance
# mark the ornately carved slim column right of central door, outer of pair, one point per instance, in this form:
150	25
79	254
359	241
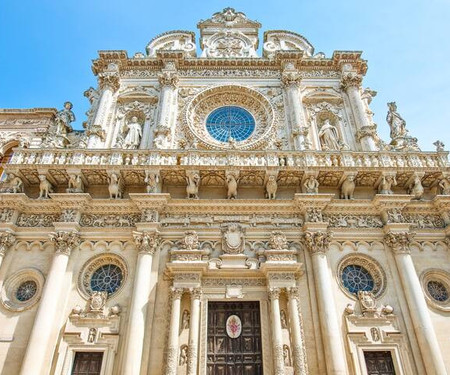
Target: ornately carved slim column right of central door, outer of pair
298	349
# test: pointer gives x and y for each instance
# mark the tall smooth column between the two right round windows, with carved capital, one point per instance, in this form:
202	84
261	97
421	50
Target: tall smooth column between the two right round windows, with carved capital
399	242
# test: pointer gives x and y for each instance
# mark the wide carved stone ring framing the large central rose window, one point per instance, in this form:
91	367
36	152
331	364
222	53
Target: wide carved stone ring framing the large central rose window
205	102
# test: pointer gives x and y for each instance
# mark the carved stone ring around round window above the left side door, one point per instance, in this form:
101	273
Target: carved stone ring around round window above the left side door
84	278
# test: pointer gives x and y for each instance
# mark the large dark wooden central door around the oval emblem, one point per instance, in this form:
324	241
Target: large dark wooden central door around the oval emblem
234	356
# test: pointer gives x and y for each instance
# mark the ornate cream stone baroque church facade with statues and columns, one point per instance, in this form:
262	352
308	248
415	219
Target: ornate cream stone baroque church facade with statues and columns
223	212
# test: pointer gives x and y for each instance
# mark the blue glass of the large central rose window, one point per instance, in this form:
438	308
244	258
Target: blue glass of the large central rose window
230	123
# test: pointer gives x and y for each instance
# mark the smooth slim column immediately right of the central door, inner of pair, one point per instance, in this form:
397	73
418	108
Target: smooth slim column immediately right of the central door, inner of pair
278	360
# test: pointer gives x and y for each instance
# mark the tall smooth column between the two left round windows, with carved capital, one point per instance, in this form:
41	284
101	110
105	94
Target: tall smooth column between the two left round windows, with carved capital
39	351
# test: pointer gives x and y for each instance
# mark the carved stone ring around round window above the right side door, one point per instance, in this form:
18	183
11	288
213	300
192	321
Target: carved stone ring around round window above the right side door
371	265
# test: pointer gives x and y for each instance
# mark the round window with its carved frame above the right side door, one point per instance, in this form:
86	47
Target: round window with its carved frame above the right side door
361	273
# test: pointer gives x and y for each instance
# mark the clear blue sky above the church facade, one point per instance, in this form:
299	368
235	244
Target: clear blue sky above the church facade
46	47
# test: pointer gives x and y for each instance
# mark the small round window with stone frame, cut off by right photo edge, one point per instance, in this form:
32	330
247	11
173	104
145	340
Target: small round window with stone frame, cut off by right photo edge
436	286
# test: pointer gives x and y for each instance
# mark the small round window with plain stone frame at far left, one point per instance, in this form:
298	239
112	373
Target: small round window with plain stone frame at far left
22	290
